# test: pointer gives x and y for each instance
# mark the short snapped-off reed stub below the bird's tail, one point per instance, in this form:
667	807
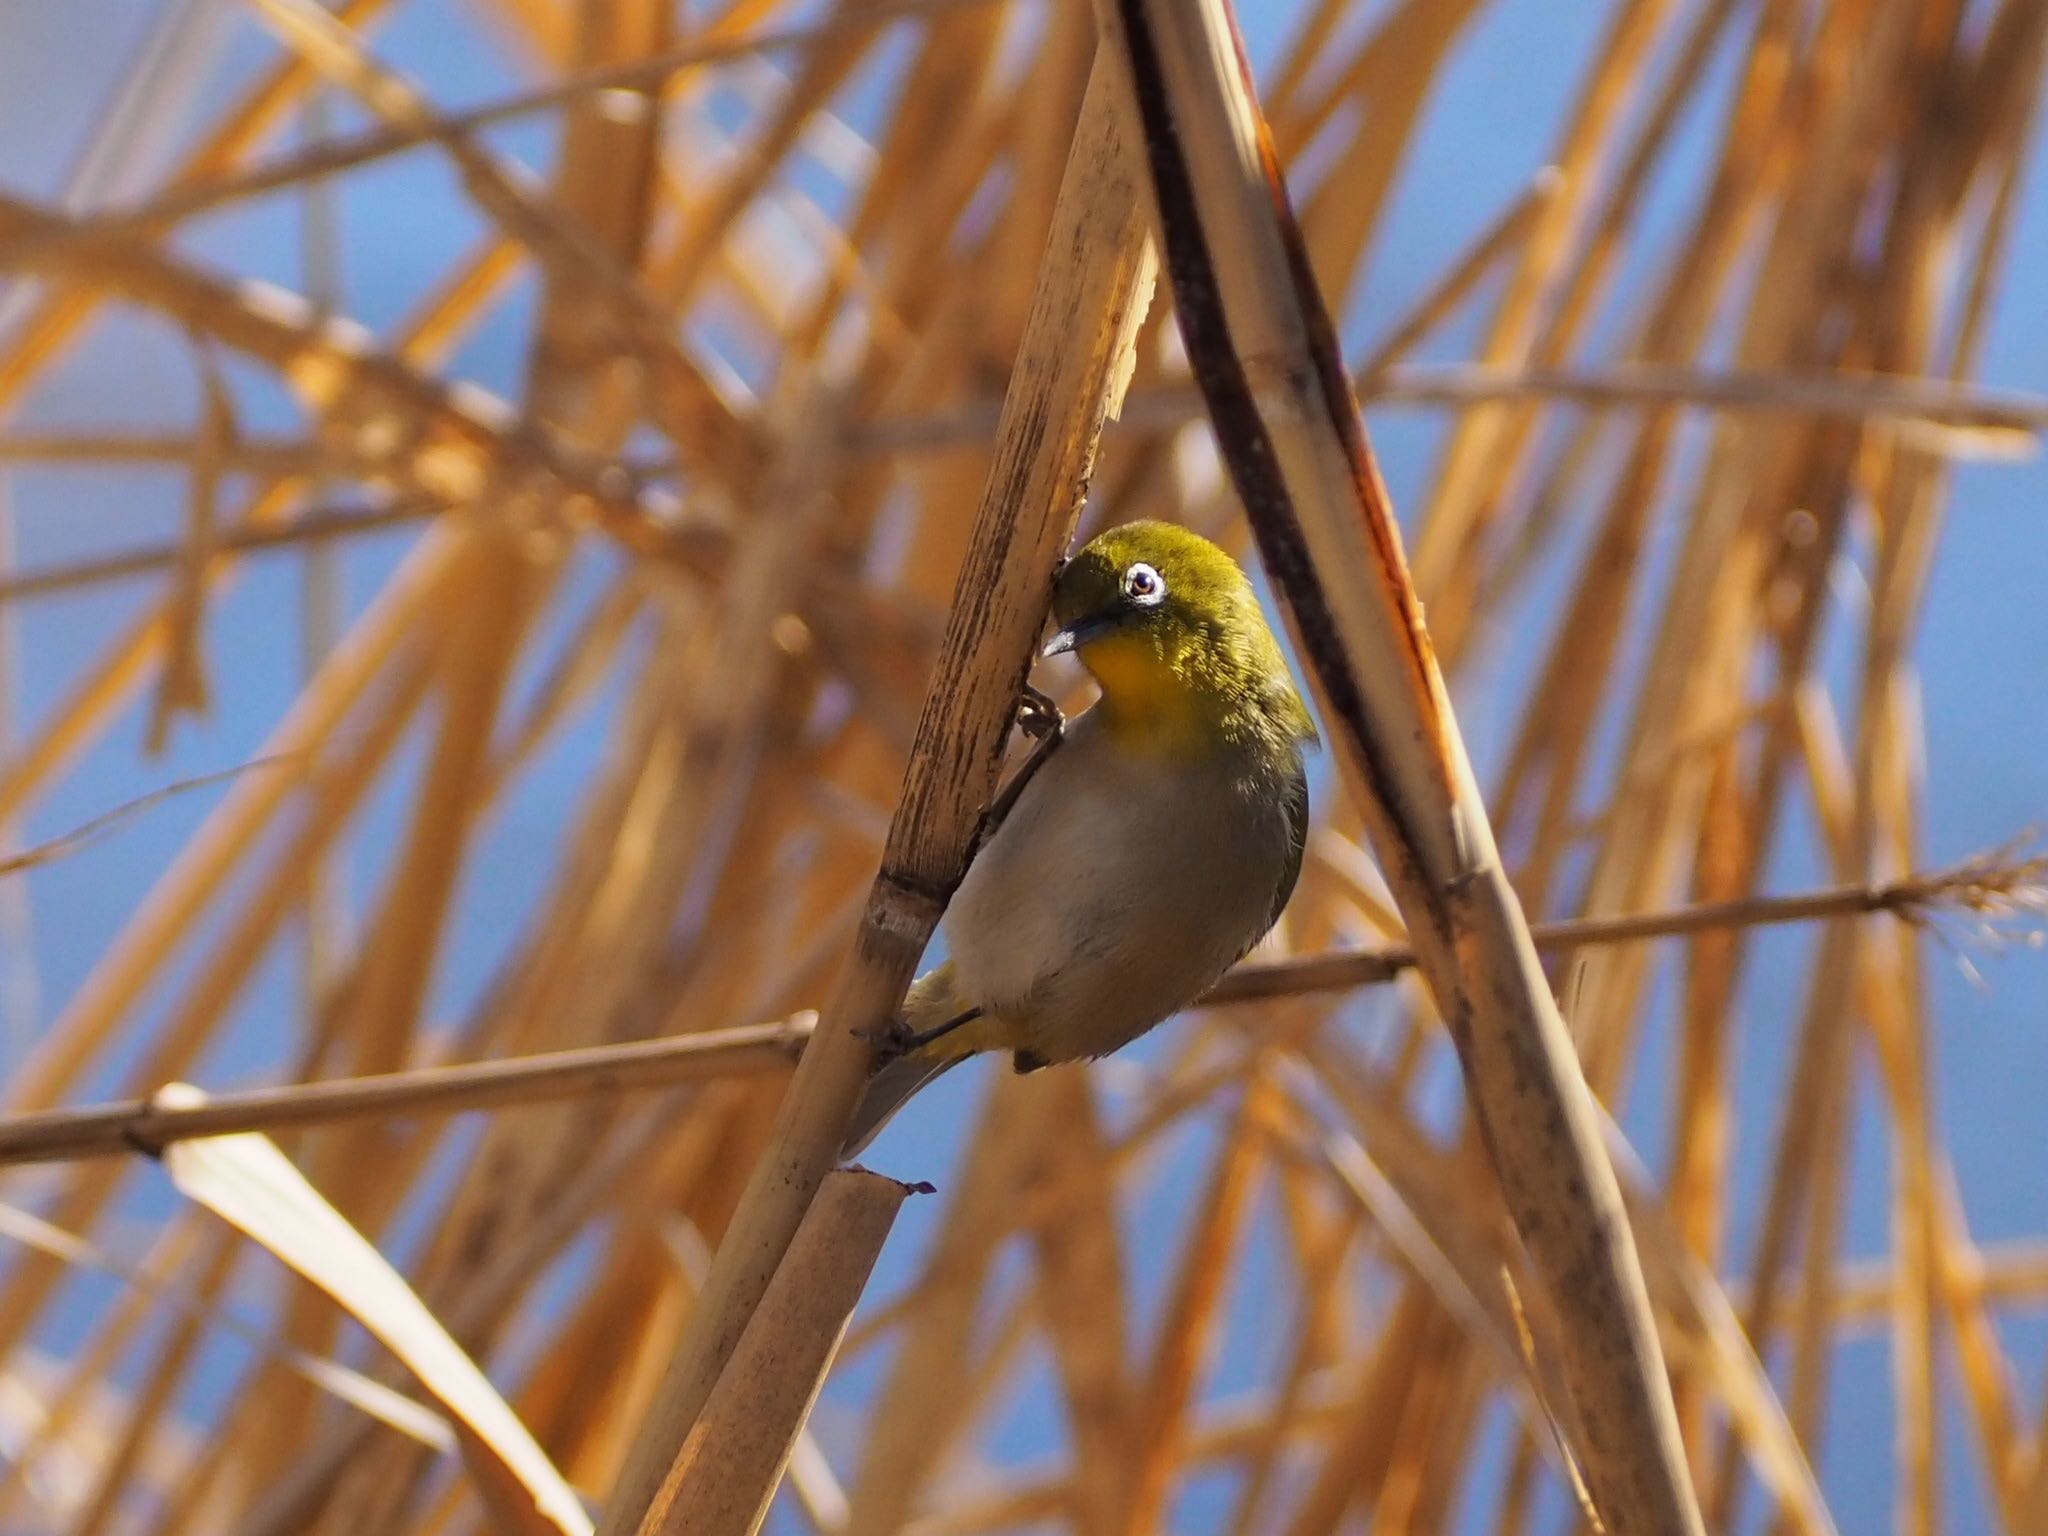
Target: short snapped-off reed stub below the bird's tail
732	1461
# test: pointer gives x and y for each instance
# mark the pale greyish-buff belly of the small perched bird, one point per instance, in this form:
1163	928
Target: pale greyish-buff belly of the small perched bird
1111	898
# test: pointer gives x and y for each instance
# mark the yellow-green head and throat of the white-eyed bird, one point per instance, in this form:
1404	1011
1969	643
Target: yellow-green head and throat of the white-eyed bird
1175	634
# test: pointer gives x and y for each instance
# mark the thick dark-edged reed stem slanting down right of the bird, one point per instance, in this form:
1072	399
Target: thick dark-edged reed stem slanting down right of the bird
1263	349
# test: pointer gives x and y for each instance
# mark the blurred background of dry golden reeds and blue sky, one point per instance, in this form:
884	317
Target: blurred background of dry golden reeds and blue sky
577	714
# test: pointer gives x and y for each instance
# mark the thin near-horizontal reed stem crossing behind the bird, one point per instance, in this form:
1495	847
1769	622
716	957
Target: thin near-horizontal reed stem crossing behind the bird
1981	886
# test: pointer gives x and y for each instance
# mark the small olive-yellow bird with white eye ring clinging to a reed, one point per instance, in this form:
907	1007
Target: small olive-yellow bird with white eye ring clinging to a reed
1148	855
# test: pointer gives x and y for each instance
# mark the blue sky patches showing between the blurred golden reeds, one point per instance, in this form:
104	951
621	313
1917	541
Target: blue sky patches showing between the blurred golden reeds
1981	648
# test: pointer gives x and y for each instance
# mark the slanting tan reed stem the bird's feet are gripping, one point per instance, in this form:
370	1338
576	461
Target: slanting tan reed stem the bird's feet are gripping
1072	368
